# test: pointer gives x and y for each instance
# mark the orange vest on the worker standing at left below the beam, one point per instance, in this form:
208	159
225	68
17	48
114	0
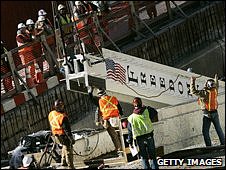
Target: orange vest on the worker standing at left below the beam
56	121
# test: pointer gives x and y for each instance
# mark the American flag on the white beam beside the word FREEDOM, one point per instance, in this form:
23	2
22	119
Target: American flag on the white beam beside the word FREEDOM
115	71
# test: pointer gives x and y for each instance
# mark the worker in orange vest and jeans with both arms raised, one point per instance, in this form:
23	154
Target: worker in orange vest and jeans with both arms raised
208	104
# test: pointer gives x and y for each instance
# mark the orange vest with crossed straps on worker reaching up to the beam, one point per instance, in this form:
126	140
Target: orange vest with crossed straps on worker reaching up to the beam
108	107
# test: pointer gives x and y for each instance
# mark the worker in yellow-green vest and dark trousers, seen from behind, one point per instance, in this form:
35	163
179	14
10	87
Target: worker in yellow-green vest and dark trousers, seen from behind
140	128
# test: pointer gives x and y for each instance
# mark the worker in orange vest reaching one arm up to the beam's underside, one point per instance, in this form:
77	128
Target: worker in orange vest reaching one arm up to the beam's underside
109	109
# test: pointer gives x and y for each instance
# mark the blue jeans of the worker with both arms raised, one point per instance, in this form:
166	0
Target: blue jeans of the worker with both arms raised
213	117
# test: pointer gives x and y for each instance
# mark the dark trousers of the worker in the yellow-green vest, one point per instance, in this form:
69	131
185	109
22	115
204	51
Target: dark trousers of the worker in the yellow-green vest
146	145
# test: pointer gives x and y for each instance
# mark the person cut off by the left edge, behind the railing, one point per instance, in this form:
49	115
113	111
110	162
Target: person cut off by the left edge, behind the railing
5	68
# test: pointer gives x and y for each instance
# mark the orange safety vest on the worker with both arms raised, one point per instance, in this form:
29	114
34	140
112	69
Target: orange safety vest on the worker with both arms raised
211	103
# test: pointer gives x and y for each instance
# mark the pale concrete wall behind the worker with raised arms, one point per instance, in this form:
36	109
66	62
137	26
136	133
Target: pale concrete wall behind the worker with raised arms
181	126
